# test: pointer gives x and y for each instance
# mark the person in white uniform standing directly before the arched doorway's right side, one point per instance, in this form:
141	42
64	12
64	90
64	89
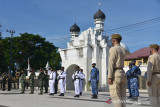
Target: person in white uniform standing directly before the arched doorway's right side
76	78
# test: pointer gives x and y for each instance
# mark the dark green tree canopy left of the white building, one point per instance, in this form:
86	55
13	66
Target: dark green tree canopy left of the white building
34	47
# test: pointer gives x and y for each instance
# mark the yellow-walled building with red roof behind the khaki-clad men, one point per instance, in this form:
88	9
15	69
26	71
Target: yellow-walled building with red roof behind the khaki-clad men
141	57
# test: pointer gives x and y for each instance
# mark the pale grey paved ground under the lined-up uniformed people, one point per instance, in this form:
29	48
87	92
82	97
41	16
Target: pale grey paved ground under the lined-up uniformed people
14	99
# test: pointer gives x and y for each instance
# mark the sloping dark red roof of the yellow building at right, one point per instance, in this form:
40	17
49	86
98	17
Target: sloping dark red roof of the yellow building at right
141	53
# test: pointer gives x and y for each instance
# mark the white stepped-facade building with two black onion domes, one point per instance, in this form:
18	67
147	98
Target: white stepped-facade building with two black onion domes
90	46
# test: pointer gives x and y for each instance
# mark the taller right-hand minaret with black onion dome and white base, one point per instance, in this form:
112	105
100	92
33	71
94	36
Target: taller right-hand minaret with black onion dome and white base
99	18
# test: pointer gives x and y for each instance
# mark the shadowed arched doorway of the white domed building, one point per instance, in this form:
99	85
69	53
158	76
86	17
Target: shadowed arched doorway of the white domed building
69	83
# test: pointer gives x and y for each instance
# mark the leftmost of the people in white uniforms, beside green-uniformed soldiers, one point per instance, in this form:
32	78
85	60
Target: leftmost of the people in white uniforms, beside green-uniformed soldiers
52	78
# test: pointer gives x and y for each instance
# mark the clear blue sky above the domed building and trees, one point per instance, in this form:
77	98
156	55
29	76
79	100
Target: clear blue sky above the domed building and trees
53	18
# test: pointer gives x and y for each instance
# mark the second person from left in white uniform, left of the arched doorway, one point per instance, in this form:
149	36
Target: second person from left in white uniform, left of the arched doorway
62	81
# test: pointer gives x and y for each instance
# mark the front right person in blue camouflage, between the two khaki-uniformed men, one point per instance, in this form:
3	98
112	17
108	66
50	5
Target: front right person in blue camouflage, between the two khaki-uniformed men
134	81
